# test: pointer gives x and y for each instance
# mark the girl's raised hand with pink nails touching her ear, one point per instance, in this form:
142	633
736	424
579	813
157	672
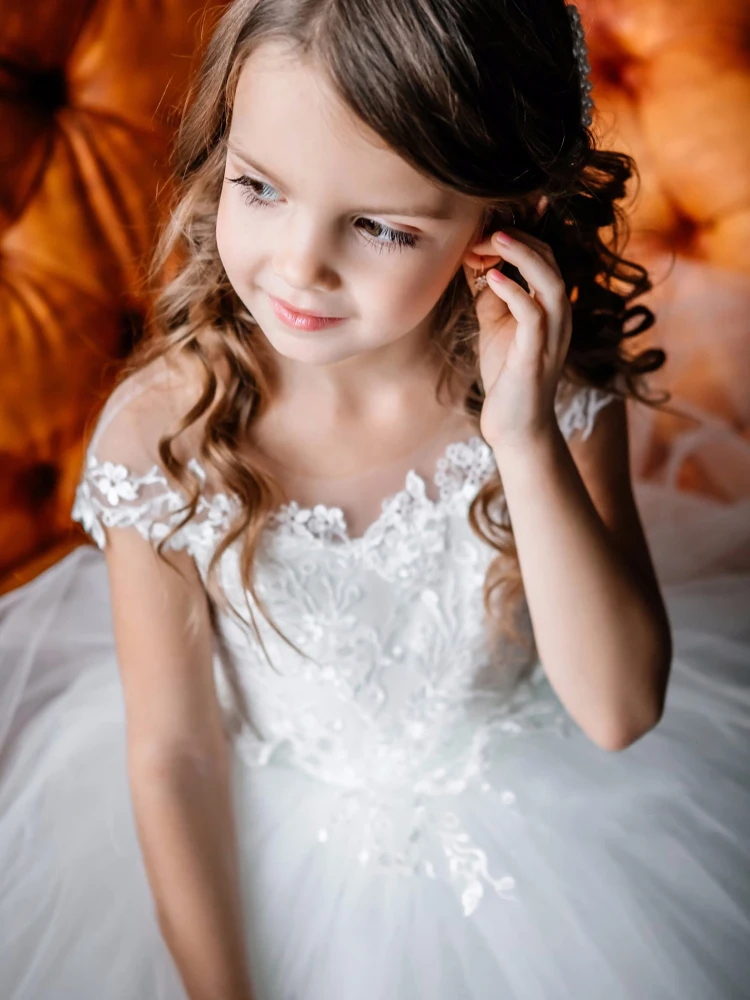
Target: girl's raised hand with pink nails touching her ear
523	338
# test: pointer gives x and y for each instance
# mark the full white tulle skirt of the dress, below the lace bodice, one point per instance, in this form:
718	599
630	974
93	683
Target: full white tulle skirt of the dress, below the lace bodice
632	869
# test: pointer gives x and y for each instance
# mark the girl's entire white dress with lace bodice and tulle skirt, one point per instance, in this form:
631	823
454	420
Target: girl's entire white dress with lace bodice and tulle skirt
418	817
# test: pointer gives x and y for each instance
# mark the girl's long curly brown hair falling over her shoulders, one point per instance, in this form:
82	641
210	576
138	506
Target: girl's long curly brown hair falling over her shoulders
482	97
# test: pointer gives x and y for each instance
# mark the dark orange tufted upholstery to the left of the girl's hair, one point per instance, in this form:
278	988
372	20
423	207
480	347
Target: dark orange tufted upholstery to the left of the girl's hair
87	101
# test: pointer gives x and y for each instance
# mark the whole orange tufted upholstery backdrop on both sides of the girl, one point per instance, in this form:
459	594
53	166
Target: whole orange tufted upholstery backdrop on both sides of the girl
87	94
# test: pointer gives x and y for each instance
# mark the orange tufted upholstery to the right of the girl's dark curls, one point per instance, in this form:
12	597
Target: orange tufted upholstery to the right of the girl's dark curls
672	88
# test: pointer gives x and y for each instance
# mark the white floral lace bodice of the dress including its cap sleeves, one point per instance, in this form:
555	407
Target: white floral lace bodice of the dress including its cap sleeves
403	688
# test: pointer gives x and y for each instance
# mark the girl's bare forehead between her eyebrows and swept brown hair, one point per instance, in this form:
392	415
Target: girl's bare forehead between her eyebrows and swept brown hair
287	116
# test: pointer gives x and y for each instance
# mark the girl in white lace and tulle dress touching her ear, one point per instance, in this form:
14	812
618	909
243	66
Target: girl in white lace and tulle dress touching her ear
366	693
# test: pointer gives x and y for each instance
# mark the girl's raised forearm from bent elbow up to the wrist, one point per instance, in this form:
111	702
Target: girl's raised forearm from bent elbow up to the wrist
604	647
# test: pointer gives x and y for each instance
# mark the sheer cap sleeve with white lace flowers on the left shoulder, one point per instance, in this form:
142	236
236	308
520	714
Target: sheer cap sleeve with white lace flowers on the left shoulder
122	484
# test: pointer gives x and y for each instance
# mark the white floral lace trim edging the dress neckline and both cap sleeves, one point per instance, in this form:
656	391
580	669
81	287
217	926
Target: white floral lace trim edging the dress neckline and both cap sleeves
112	494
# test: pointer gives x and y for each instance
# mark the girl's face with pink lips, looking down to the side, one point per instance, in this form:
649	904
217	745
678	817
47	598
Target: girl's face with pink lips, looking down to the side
317	212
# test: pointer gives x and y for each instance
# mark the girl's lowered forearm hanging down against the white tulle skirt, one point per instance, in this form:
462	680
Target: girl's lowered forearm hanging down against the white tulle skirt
185	821
